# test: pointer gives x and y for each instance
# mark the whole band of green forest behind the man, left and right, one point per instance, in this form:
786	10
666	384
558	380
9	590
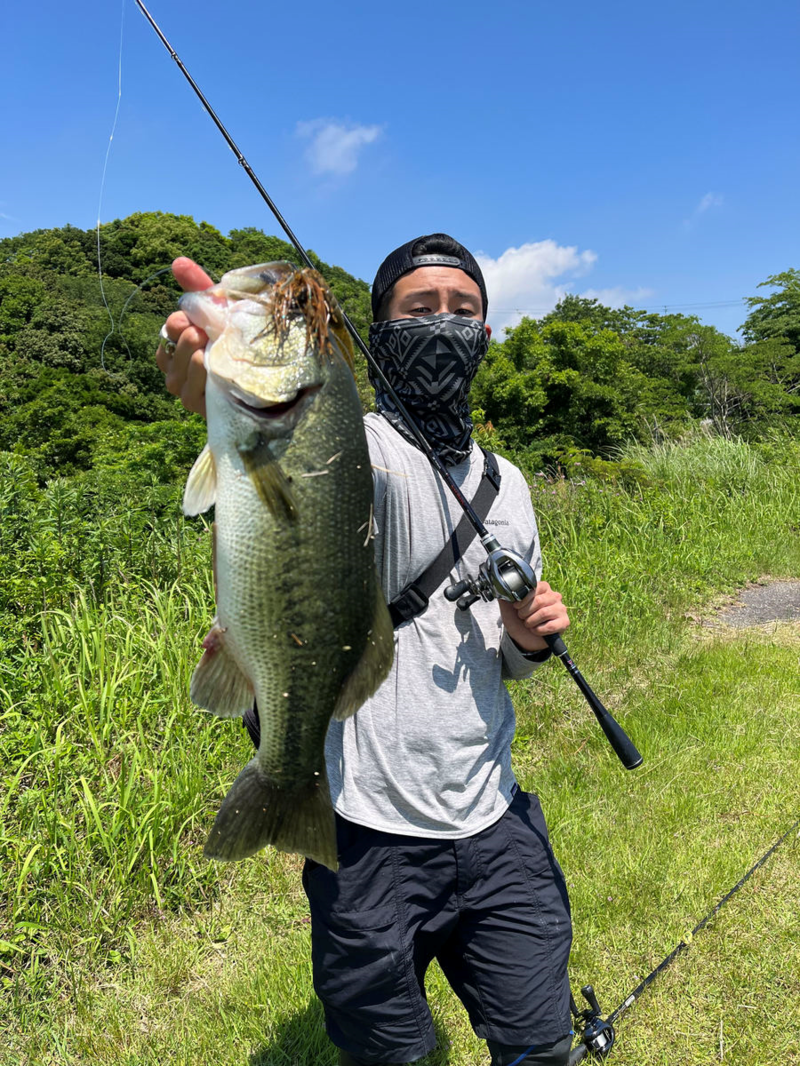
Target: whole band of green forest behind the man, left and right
76	395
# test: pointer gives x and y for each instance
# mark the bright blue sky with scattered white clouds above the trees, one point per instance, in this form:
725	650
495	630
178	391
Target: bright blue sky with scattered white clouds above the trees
645	154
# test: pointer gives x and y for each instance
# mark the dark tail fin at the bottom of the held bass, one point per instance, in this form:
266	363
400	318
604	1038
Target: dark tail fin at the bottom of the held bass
258	812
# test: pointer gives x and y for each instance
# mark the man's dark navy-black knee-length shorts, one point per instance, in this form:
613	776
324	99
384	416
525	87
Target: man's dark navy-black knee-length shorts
491	909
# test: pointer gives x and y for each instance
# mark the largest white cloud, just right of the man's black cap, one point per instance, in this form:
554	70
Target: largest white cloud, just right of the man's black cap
524	282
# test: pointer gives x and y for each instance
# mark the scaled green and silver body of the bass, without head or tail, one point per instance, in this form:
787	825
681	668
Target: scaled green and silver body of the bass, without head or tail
312	578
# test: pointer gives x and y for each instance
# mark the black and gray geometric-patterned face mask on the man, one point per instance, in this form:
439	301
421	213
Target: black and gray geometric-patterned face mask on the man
430	363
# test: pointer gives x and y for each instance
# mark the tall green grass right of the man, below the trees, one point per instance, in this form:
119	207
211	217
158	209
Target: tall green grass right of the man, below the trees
679	524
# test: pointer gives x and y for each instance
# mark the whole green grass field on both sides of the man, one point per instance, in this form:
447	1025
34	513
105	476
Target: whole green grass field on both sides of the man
119	944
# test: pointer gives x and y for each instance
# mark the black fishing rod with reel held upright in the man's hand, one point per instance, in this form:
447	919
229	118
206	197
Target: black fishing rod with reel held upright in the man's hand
505	575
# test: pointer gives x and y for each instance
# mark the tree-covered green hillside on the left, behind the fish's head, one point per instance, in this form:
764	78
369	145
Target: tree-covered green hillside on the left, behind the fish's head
74	394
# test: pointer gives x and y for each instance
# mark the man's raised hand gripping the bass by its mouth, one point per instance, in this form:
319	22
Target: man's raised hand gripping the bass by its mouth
185	372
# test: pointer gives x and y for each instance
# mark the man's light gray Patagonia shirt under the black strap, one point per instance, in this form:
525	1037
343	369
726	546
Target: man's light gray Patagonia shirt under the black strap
430	754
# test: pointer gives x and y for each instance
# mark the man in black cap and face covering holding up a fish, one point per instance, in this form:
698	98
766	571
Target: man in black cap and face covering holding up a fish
441	854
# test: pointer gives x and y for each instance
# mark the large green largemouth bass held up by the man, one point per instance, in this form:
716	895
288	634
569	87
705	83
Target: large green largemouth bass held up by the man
301	623
